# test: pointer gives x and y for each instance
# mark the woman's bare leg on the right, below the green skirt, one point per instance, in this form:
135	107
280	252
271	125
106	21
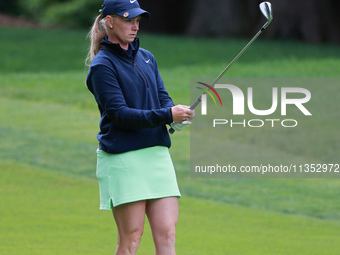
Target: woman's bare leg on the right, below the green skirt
163	215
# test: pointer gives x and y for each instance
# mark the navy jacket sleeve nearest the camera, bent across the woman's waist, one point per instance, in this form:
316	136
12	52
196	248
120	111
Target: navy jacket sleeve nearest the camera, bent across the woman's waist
110	98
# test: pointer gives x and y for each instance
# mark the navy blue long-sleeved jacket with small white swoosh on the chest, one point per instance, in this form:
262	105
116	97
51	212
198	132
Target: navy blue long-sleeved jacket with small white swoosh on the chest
133	102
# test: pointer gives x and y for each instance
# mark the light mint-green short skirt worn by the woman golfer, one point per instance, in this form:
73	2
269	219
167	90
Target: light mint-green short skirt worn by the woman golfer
135	175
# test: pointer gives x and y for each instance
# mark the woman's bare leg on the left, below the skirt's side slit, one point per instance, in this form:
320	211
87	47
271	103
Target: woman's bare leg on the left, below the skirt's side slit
130	224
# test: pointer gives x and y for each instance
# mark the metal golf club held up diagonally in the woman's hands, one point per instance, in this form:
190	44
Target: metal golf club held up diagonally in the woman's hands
266	9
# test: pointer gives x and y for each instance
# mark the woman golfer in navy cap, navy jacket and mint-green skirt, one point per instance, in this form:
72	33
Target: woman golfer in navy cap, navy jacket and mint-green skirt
134	169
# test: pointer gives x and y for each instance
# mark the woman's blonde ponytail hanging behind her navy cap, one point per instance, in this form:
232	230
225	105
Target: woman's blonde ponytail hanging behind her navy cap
96	34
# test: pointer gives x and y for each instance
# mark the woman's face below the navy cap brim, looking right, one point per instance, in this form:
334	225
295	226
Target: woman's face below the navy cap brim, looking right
123	30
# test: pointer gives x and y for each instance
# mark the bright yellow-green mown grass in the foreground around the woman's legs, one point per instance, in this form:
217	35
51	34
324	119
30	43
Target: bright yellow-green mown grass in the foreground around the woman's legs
56	214
